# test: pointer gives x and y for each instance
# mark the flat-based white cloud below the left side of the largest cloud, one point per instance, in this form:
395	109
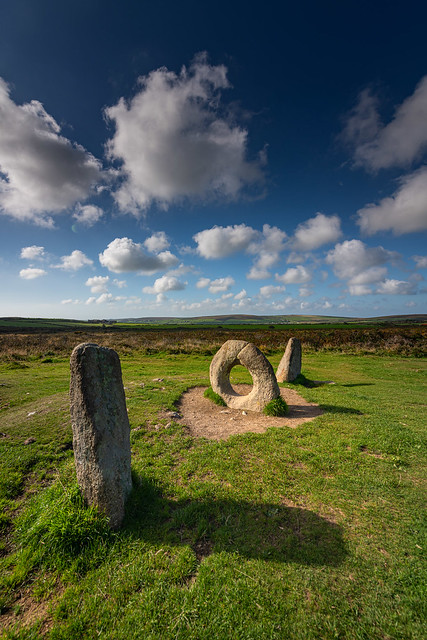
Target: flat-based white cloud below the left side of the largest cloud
124	255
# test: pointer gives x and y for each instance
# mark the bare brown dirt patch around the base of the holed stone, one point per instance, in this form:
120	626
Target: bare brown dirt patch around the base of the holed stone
205	419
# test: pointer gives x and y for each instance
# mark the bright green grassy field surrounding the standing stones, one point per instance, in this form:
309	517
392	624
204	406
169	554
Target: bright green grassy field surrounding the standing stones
312	533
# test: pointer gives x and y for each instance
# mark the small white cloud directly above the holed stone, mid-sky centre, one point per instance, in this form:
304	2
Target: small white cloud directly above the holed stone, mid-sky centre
220	242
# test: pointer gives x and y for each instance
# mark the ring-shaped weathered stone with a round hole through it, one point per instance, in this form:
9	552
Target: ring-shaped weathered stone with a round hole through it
265	387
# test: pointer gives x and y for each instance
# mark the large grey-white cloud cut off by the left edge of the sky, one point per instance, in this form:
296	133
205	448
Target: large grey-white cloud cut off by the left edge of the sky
41	171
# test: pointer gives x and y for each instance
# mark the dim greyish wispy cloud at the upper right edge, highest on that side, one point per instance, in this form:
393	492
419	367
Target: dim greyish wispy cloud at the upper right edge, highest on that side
397	144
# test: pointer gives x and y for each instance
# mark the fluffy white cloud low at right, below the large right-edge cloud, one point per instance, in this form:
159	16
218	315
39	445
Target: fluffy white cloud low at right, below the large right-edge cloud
359	264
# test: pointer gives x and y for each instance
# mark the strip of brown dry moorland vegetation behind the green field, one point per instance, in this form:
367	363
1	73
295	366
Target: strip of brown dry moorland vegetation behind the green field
402	341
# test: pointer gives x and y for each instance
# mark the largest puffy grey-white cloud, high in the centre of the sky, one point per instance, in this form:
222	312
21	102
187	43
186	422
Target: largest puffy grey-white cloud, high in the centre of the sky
174	143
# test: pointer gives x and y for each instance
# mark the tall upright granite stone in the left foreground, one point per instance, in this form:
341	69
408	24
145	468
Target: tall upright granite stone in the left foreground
101	430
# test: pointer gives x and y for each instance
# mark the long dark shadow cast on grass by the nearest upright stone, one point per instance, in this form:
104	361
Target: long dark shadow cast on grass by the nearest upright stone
276	532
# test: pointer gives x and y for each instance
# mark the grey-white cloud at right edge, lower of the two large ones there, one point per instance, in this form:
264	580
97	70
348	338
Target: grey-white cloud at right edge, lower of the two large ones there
404	212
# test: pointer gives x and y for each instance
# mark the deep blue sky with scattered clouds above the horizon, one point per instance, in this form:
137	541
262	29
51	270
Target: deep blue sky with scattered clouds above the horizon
184	159
